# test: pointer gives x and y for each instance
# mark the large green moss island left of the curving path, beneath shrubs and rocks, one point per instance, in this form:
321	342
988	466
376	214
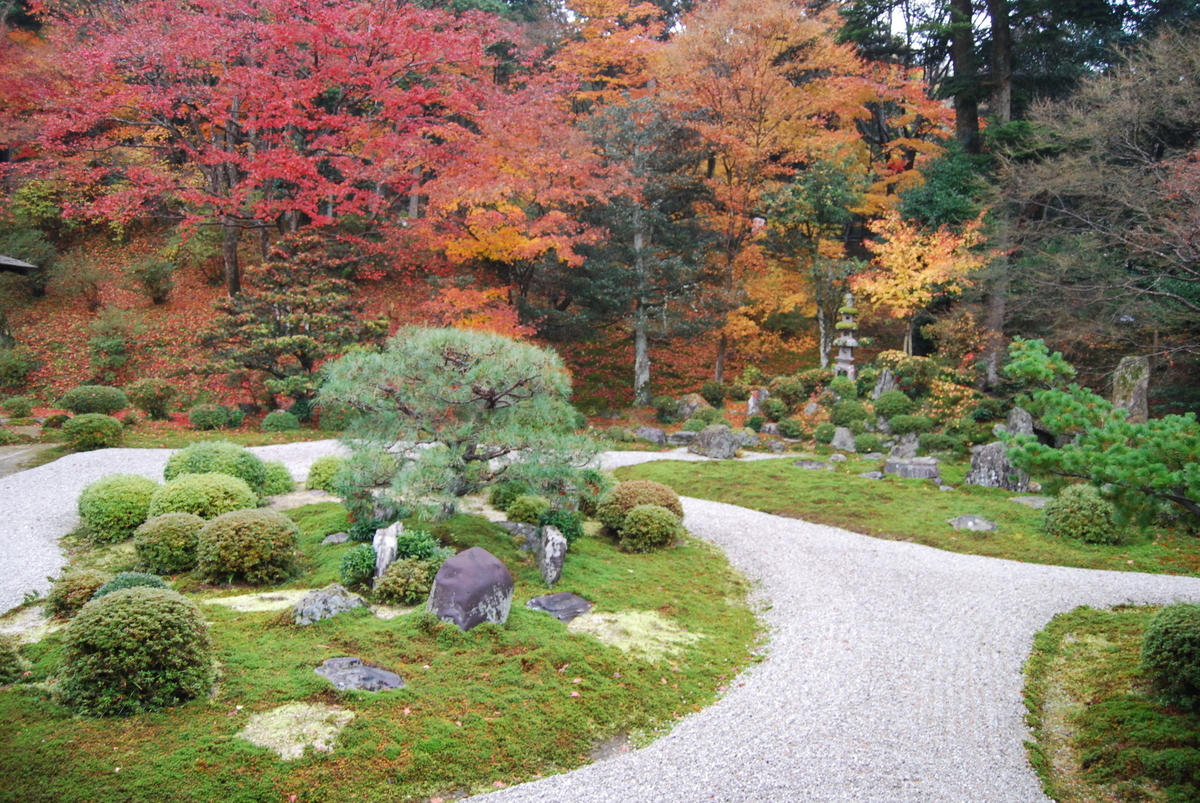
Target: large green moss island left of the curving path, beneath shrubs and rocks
481	710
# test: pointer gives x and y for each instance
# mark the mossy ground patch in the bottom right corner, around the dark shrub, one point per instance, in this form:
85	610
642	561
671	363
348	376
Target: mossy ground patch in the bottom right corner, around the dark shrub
1099	734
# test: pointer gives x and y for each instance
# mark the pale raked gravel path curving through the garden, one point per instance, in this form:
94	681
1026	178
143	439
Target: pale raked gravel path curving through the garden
893	672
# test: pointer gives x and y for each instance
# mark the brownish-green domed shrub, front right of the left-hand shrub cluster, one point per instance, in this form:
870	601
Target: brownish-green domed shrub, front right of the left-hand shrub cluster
254	546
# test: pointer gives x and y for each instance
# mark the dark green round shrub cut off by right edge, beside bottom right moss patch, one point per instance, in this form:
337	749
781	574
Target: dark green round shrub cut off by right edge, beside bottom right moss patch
1171	655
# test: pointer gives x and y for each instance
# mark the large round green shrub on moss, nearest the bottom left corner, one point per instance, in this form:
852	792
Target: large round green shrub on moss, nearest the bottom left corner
133	651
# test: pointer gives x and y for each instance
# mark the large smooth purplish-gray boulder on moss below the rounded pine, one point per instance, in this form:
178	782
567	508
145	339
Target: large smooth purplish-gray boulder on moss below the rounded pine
471	589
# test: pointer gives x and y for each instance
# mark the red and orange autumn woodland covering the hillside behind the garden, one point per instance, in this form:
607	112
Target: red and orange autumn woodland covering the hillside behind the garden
229	193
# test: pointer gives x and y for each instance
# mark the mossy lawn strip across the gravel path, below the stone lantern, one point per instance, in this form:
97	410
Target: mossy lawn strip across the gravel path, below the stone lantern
914	511
